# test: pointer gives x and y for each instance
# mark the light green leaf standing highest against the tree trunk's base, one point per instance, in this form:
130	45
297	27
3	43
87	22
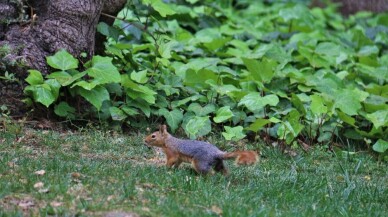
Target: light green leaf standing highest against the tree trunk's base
62	60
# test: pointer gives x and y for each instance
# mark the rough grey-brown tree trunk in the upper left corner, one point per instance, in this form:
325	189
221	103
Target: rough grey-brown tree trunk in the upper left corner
51	26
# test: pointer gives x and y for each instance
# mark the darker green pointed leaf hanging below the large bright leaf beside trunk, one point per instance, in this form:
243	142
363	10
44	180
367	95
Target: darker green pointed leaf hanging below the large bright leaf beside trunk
96	96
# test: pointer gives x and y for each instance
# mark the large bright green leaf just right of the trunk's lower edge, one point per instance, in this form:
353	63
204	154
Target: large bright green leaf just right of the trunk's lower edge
103	71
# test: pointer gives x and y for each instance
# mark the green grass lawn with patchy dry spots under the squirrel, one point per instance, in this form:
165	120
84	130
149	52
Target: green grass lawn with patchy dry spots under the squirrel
94	173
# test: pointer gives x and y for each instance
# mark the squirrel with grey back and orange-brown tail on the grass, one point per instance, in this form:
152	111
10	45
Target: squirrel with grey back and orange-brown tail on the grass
202	155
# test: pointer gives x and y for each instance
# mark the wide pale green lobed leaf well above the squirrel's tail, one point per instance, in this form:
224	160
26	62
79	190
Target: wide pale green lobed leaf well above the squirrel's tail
254	102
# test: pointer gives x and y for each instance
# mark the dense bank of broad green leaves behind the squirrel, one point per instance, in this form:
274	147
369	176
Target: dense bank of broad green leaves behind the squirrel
280	69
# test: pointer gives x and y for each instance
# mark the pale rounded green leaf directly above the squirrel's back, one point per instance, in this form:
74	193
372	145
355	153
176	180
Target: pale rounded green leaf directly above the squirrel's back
198	126
